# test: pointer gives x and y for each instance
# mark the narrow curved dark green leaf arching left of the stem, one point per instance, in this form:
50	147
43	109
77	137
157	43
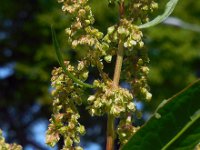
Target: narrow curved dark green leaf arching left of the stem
61	61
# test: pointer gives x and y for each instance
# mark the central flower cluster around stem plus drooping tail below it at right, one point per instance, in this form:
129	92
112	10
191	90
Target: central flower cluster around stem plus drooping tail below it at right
115	101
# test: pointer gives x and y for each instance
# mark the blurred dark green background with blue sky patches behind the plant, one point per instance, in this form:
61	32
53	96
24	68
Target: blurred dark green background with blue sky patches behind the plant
27	58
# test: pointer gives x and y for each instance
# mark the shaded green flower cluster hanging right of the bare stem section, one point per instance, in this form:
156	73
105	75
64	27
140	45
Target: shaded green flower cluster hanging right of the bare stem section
135	72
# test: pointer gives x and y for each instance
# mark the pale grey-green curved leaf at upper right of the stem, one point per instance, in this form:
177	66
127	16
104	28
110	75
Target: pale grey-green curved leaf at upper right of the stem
168	10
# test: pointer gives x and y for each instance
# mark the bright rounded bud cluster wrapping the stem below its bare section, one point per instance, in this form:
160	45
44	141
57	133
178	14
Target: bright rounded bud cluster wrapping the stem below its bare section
109	100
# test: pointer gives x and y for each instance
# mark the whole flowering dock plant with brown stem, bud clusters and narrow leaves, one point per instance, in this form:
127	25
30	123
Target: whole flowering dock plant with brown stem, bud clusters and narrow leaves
123	40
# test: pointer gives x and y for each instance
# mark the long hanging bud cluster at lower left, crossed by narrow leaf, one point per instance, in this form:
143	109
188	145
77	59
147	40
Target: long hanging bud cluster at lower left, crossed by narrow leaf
66	95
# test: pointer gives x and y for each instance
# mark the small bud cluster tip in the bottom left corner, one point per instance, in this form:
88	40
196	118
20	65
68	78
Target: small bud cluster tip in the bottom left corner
6	146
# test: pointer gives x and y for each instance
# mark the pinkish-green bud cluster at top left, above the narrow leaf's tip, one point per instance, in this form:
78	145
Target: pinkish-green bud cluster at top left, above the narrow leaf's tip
81	32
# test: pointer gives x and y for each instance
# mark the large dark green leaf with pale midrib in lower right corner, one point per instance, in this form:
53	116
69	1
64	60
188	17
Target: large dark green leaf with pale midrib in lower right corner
175	124
